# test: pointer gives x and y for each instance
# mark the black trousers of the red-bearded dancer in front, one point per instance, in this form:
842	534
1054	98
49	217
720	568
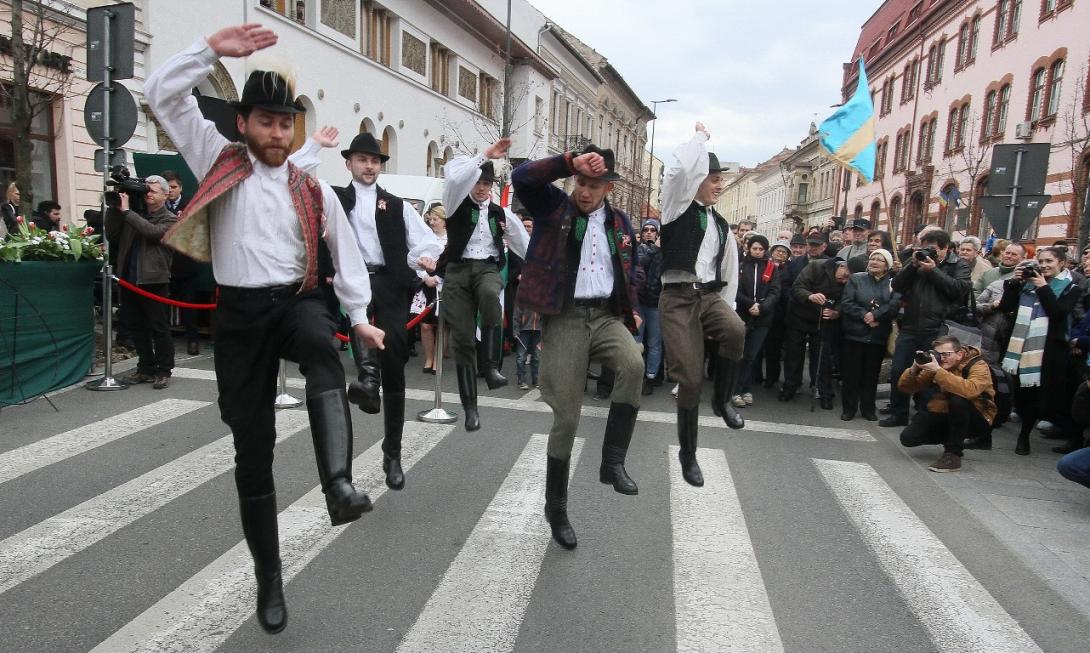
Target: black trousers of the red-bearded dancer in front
256	328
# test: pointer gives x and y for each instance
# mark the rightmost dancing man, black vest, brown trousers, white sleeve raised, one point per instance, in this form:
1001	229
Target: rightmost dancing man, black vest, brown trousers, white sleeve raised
700	281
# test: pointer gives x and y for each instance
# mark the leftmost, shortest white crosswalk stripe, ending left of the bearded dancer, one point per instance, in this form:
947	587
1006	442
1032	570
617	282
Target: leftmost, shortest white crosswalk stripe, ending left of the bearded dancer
66	445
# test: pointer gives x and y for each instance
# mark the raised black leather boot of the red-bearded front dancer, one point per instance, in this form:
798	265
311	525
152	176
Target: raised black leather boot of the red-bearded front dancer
332	431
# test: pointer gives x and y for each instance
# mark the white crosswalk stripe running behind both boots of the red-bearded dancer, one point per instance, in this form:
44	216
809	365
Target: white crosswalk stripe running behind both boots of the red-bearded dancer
204	611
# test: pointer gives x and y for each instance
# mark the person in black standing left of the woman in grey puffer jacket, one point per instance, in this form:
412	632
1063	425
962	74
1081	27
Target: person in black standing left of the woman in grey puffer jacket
814	320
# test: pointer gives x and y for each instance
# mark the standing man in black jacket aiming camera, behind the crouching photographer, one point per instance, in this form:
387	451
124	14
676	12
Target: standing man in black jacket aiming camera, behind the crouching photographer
934	283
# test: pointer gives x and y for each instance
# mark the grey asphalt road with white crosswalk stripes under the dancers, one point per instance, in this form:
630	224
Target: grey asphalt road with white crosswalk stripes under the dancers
120	533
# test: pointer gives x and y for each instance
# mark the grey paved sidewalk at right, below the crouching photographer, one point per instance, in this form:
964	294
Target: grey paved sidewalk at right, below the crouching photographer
1044	518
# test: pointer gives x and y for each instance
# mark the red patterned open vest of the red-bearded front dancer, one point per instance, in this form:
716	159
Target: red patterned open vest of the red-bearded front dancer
191	235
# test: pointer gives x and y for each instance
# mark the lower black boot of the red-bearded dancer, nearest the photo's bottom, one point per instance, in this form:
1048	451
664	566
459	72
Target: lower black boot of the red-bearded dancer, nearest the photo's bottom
260	528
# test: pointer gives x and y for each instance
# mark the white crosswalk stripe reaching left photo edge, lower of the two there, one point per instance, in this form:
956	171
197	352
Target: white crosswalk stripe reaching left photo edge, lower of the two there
53	541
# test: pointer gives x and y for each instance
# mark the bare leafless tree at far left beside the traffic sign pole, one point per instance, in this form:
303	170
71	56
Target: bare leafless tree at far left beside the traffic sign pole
40	70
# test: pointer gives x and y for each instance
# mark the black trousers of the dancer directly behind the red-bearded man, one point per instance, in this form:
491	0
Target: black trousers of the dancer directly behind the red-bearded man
390	307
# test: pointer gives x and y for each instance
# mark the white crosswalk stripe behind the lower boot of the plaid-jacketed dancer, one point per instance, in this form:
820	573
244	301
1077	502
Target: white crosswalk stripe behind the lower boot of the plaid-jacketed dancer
498	567
